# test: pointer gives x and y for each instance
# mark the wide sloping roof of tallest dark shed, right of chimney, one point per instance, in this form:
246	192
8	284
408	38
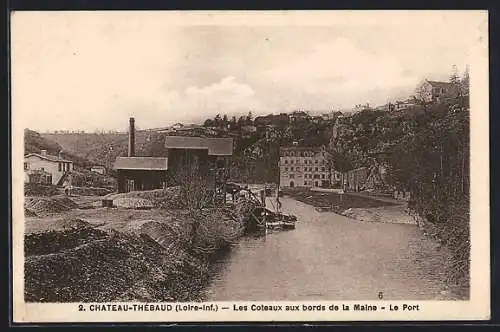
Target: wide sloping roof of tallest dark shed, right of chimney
215	146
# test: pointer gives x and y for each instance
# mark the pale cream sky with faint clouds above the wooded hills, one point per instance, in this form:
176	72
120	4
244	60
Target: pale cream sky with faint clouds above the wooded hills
93	70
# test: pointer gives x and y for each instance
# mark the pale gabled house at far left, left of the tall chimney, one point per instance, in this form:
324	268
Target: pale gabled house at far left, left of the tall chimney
46	169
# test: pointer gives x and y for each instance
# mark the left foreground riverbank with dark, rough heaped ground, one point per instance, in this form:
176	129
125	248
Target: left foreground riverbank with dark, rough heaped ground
89	253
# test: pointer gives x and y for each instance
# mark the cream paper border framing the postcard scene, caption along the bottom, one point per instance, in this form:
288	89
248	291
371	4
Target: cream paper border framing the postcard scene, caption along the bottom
477	308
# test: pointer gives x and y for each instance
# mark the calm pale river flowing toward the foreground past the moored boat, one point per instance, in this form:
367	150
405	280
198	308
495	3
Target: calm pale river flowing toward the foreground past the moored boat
332	257
